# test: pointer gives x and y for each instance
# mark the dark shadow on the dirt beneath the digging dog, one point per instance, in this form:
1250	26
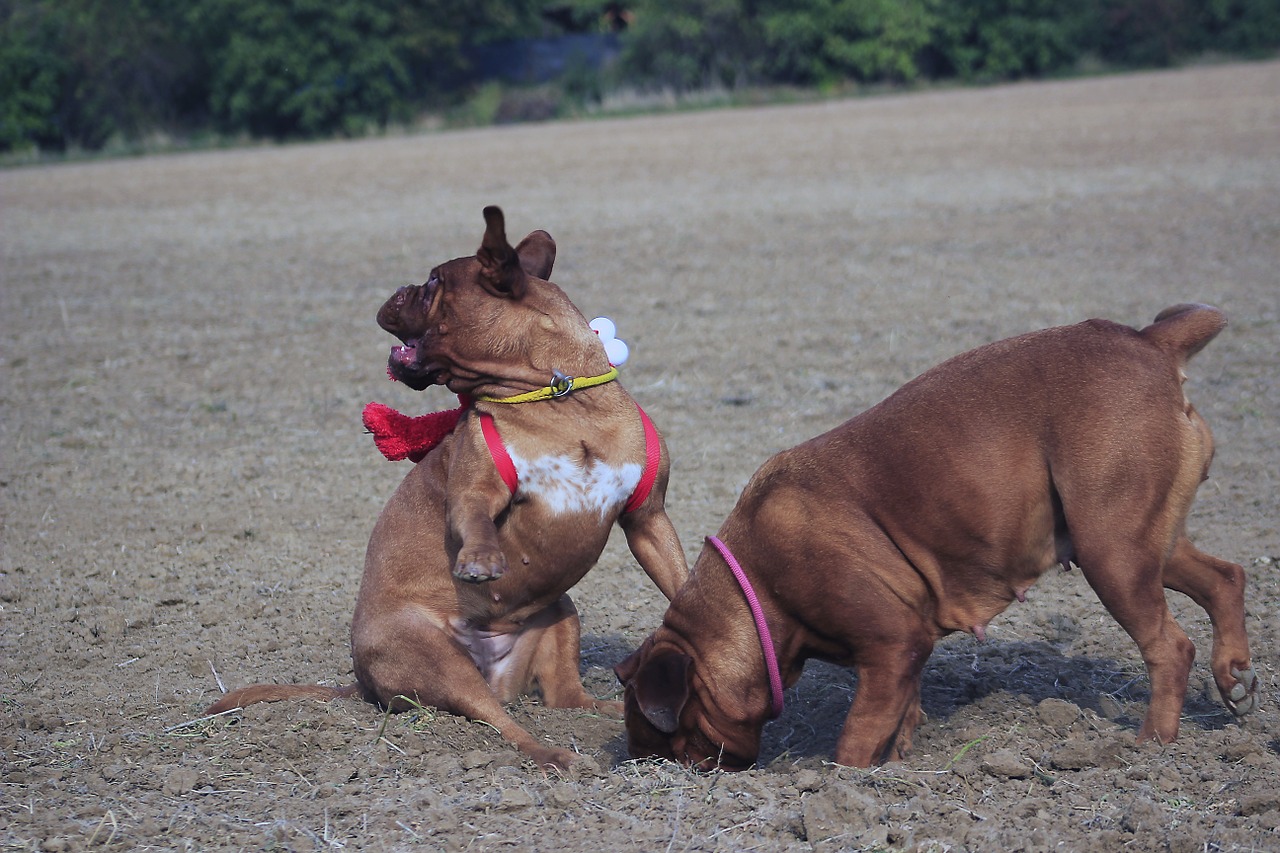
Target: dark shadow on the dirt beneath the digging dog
963	678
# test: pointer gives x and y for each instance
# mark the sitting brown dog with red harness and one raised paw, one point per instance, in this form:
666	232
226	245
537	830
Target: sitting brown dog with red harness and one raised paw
463	605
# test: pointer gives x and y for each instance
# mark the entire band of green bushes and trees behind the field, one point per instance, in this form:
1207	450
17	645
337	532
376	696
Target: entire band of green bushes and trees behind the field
79	75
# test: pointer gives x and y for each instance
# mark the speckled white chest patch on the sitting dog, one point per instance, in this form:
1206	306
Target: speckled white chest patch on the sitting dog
566	486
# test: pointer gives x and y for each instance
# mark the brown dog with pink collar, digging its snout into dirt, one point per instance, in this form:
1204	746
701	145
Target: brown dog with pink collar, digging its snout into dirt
929	514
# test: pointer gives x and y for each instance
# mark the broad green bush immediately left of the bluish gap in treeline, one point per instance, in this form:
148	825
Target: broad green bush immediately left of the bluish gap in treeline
299	69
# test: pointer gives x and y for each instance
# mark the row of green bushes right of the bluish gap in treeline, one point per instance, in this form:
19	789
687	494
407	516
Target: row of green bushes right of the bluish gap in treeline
685	44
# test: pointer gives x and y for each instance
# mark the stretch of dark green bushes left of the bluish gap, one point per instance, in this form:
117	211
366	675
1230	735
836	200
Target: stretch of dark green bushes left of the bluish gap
76	74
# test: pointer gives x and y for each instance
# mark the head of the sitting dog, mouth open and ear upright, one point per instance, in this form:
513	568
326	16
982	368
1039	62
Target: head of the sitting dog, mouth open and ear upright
490	320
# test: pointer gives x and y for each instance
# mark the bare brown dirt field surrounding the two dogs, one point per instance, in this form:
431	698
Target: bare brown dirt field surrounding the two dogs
186	490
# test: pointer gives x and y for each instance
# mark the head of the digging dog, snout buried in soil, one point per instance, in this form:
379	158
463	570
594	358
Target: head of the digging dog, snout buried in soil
668	717
